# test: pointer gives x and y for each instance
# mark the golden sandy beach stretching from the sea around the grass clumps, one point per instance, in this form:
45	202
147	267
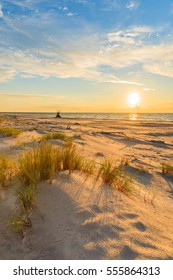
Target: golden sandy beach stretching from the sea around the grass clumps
79	217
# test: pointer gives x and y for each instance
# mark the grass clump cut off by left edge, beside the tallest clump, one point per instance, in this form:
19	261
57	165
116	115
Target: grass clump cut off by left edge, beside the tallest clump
7	170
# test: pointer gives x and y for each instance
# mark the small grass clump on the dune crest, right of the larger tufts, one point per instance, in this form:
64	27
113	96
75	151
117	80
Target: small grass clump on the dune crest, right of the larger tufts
115	176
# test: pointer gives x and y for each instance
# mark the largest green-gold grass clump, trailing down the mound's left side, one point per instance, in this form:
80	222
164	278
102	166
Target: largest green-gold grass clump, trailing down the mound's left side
35	165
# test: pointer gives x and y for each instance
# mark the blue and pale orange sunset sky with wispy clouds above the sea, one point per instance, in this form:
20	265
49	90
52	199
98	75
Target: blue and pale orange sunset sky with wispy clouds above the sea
86	56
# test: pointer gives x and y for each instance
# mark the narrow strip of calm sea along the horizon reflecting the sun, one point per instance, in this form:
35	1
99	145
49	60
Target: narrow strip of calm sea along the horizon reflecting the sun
138	116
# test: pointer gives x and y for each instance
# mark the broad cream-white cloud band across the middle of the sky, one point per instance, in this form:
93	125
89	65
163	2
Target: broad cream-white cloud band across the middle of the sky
81	62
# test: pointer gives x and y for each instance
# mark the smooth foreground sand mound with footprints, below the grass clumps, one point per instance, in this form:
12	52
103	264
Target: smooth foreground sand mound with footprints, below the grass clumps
77	218
